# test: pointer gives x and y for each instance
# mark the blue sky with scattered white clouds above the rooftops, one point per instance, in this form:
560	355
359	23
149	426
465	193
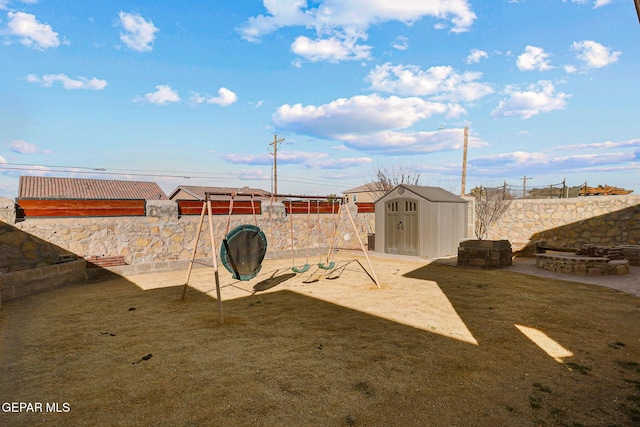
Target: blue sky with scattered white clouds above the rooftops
192	92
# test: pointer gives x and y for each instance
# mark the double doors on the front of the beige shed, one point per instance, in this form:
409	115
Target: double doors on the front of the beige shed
402	227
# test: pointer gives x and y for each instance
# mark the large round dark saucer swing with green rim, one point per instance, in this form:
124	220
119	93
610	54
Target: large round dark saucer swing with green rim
243	250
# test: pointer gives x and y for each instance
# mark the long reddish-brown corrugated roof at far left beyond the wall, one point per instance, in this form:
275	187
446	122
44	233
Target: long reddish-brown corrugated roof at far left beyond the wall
40	187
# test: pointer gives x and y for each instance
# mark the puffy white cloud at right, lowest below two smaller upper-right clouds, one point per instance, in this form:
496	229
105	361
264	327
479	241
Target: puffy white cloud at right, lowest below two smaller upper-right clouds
536	99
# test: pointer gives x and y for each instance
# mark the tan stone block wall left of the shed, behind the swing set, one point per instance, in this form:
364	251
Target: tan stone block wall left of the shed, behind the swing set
163	236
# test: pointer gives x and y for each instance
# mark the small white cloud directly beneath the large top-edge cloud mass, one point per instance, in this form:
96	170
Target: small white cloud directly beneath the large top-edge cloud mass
332	49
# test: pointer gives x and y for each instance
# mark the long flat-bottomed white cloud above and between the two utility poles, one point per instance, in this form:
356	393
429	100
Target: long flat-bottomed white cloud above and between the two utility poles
359	114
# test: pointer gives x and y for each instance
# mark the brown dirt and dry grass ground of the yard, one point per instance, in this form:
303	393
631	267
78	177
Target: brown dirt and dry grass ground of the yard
436	345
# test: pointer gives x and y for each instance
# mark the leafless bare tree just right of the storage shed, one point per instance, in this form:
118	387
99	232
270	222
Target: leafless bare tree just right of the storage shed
491	204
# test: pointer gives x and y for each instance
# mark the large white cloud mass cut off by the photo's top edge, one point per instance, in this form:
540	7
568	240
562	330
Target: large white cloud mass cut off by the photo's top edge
340	24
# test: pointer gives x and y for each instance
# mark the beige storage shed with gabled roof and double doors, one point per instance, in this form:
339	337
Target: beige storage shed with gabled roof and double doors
420	221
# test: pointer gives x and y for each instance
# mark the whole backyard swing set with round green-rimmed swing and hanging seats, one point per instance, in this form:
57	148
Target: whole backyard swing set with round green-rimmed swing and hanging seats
244	247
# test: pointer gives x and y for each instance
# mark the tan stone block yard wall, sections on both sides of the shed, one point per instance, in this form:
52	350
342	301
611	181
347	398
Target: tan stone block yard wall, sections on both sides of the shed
162	235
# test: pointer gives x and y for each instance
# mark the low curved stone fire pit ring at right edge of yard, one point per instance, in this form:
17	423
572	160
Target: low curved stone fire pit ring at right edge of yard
581	265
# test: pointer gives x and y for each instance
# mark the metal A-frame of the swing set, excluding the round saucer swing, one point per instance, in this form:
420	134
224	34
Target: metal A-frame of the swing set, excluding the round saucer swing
206	208
